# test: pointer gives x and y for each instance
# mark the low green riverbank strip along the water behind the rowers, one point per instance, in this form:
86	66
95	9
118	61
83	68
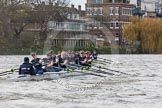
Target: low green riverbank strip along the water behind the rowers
41	50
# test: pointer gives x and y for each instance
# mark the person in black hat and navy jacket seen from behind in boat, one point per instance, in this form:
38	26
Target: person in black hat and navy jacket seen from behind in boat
26	68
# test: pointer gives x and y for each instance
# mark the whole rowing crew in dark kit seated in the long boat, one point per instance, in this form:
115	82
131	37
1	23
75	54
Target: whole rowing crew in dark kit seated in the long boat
55	63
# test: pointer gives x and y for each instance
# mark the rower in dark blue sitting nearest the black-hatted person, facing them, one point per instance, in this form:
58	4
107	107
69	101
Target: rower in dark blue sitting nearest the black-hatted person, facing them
36	62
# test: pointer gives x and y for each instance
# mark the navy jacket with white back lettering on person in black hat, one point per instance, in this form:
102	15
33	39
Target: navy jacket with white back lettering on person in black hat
26	68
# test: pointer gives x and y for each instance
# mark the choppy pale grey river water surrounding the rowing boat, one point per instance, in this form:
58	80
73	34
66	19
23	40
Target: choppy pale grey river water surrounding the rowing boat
142	88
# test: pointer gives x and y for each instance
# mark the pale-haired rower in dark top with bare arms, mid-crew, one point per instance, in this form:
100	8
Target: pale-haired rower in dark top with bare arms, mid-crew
63	61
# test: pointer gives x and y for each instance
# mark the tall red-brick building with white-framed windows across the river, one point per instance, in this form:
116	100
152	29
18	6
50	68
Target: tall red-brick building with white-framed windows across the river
110	16
